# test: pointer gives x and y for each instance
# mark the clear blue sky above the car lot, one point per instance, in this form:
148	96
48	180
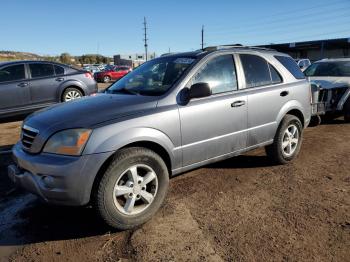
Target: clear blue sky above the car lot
112	27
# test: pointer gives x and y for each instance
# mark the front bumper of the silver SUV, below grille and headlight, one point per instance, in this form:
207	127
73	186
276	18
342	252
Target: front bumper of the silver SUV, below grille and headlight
56	179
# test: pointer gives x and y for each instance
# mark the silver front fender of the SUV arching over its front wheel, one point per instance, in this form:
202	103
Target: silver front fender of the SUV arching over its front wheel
107	140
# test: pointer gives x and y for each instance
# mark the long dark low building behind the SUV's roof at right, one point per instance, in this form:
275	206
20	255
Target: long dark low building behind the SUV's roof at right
315	50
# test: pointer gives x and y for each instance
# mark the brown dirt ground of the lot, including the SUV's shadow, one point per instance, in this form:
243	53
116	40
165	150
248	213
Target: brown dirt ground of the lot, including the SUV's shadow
242	209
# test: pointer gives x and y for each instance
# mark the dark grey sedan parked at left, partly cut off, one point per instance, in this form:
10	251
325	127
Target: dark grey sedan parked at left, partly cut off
26	86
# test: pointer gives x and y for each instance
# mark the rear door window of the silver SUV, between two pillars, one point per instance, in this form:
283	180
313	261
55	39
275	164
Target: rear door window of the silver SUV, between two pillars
256	70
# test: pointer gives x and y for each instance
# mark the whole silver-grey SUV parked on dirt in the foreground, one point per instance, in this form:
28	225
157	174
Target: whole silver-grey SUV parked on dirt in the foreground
172	114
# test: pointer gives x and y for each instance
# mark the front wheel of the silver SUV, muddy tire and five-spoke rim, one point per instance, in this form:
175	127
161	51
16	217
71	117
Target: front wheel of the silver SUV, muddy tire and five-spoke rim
130	209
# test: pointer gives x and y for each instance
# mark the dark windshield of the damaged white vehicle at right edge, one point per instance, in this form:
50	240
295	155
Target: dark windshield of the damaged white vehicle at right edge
339	68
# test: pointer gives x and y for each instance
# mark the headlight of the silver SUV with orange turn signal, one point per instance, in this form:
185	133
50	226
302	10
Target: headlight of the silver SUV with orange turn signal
68	142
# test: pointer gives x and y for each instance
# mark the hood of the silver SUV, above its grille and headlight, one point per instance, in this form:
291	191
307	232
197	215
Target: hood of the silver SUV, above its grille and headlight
89	111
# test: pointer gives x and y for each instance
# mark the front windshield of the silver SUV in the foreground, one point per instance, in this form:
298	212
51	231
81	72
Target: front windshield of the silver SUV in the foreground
153	78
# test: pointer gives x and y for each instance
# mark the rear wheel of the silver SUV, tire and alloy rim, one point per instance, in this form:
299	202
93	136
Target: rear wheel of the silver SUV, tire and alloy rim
278	152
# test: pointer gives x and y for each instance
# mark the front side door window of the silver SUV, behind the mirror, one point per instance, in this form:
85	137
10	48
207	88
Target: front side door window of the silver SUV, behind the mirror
219	73
